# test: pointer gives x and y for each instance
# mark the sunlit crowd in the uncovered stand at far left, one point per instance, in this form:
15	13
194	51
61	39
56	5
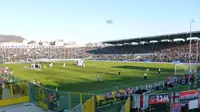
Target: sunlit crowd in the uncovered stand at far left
17	54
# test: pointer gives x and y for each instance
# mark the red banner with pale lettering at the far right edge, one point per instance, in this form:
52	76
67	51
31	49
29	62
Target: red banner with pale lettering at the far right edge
187	96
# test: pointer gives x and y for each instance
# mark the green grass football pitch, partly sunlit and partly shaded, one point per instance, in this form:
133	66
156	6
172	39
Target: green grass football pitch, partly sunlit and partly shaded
79	79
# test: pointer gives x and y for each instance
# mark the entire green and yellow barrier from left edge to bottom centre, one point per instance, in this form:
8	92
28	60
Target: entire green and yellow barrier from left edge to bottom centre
19	91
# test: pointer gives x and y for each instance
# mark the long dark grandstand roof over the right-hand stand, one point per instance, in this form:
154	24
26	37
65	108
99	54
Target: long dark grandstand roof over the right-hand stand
158	38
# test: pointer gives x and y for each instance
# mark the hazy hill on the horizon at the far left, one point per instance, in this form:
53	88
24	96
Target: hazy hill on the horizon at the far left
10	38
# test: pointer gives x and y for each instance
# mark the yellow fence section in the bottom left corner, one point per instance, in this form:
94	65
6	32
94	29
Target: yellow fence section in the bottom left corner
14	94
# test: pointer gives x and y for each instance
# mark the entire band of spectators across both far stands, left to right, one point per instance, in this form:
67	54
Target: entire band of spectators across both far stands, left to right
159	52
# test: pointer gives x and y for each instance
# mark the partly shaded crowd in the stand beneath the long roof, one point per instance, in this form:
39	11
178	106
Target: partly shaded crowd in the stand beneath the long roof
159	52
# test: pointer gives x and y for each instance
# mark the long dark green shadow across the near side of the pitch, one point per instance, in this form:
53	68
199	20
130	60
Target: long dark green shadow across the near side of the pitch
86	85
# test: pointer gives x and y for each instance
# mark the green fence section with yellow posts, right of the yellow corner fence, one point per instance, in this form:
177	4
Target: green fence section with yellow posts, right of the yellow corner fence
62	100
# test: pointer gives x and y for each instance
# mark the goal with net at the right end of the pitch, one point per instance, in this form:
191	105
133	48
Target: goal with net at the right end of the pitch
183	68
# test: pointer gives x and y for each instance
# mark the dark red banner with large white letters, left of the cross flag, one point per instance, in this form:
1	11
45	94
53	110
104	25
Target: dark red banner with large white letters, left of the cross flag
159	98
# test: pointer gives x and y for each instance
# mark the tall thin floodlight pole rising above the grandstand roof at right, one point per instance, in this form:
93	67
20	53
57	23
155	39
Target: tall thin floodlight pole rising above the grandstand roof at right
190	48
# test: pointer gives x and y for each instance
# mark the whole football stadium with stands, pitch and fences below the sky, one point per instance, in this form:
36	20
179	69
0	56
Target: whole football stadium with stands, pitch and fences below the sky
115	76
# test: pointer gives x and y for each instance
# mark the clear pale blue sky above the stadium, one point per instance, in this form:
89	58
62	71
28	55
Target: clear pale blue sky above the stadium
85	20
